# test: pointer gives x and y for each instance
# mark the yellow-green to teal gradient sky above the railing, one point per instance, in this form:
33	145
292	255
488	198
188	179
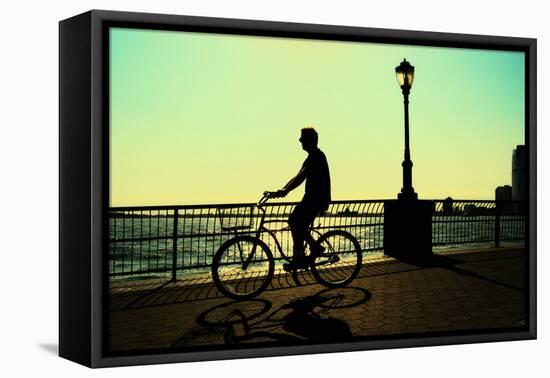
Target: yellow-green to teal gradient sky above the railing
208	118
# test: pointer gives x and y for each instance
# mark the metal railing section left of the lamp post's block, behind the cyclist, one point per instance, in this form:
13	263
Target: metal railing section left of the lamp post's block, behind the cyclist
145	240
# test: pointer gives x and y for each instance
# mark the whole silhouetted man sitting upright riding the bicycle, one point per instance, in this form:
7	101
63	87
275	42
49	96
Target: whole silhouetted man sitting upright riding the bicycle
316	199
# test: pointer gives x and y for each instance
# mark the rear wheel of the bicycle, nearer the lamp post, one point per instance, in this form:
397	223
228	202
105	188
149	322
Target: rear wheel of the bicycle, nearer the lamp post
341	260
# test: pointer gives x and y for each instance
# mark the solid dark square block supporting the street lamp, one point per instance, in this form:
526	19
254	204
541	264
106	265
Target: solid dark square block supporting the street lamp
408	229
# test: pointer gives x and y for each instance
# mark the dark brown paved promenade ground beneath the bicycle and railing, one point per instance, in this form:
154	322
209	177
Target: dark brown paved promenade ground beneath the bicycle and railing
477	289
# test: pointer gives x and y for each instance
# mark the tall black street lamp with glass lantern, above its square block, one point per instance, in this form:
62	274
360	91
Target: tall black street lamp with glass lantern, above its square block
405	78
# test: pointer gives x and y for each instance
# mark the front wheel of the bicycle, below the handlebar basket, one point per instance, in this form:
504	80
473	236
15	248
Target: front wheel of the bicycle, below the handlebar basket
243	267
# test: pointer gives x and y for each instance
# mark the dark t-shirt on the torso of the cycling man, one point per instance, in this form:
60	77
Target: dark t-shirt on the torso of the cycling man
317	179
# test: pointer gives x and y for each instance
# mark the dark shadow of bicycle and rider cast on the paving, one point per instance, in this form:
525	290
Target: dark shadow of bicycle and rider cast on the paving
307	319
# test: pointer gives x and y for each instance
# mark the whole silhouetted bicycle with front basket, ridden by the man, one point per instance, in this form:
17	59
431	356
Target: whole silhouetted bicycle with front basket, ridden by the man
244	265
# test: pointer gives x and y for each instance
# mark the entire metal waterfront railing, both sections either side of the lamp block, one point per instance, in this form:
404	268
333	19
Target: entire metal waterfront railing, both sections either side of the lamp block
172	239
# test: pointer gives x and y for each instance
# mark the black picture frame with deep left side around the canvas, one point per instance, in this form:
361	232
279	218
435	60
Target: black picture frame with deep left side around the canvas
83	167
